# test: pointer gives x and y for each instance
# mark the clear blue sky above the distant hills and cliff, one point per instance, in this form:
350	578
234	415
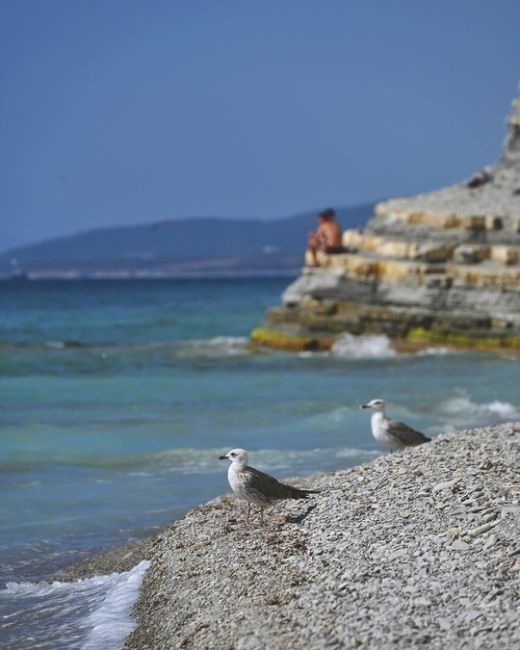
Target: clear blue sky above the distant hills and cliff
128	111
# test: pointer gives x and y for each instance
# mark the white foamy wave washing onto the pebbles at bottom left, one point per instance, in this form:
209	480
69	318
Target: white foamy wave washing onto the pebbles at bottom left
100	606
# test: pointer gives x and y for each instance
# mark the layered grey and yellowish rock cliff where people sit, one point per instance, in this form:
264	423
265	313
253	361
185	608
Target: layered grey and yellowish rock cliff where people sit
442	266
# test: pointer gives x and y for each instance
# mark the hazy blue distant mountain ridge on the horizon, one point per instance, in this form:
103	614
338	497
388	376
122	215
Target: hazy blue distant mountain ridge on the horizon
181	246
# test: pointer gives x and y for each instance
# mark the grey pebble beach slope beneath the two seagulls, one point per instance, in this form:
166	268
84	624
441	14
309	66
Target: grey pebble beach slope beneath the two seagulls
416	549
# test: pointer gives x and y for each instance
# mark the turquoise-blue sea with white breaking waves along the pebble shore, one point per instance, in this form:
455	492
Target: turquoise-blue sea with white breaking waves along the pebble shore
119	396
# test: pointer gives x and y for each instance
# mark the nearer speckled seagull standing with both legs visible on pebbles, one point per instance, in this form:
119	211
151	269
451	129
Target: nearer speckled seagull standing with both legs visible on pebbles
256	487
